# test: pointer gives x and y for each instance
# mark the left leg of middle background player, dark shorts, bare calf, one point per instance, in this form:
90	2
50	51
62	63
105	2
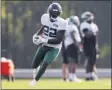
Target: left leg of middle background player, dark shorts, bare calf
65	63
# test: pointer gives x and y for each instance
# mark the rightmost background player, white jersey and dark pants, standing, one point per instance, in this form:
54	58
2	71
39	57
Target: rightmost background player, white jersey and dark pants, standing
89	31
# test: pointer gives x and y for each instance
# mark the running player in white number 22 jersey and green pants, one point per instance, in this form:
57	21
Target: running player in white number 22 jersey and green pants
49	38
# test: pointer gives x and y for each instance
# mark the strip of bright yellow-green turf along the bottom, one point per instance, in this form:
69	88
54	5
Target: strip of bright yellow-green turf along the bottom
57	84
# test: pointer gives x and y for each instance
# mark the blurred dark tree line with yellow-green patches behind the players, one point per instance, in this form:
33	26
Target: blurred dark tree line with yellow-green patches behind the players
21	19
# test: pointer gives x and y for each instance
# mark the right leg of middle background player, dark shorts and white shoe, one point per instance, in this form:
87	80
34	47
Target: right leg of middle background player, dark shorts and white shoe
73	61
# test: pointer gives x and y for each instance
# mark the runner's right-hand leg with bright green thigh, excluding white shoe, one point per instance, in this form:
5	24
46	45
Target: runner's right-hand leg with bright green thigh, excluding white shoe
49	57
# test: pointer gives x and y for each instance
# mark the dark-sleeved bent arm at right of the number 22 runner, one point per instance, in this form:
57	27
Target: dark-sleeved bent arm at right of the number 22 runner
58	39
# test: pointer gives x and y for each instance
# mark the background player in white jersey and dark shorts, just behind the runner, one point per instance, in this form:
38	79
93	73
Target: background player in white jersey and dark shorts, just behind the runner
70	49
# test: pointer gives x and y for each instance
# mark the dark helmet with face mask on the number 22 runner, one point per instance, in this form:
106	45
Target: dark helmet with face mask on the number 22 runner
54	10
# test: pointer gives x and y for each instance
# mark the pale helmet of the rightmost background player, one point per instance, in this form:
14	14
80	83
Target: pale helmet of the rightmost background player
87	16
